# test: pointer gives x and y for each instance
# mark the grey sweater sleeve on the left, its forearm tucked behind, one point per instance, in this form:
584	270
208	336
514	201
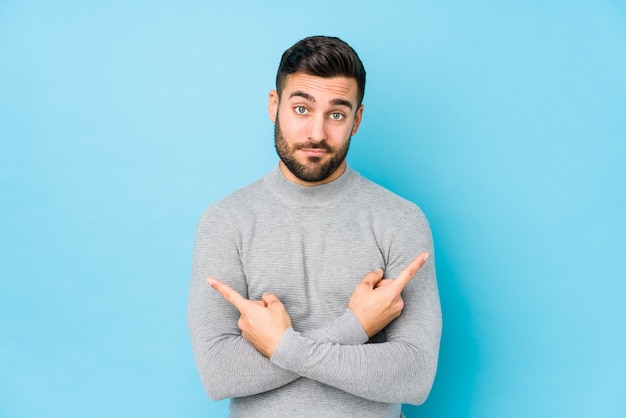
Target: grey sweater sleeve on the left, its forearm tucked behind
229	366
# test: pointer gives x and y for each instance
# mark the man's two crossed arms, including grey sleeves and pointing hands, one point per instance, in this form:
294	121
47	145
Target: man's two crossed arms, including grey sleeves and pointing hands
232	364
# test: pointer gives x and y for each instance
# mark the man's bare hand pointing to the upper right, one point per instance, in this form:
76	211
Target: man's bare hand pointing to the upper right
377	302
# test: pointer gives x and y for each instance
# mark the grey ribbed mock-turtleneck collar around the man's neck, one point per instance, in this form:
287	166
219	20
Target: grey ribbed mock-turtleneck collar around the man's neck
322	195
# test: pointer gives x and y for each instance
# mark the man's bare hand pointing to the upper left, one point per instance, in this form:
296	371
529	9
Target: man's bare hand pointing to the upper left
262	322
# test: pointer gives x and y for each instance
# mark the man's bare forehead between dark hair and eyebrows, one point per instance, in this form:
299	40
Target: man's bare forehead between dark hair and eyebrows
321	88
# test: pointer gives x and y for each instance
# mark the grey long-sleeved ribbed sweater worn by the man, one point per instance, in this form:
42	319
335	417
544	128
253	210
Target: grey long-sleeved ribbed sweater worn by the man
311	246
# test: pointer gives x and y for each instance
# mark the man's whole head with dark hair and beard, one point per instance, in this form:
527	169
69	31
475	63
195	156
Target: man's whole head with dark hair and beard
316	108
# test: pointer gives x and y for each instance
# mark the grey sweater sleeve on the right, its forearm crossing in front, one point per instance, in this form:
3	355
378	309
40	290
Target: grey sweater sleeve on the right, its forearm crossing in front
401	369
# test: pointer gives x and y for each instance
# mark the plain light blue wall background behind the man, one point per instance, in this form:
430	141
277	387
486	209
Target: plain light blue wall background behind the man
121	121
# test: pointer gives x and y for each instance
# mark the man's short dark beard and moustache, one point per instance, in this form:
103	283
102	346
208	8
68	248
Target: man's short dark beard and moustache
314	169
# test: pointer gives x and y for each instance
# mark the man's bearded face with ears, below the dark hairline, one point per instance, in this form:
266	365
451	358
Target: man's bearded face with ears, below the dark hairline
314	120
